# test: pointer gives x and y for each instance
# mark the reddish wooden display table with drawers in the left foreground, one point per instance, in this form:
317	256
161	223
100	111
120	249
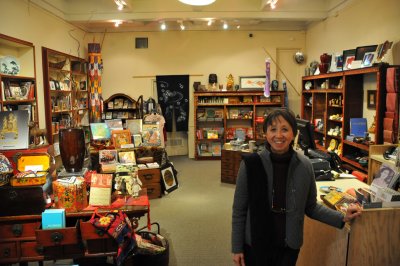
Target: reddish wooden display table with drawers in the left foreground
23	240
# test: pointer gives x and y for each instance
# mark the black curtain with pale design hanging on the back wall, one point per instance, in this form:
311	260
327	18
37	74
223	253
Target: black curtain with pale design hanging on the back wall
173	97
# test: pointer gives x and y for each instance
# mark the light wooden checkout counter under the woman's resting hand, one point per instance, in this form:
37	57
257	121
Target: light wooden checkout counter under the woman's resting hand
372	239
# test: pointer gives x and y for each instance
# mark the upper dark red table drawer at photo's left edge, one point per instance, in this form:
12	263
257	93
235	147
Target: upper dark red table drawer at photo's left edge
17	230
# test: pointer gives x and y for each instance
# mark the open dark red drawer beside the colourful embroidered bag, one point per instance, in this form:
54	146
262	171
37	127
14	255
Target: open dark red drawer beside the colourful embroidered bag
96	240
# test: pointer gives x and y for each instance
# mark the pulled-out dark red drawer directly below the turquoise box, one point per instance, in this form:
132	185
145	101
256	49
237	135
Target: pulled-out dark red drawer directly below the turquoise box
57	237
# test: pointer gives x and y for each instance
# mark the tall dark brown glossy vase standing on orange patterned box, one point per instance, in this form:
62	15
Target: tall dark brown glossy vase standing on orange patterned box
72	149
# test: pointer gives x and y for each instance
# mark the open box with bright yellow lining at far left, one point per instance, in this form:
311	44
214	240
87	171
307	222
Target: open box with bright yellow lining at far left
32	169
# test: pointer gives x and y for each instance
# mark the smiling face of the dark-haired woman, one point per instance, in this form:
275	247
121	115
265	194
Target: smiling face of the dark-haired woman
279	135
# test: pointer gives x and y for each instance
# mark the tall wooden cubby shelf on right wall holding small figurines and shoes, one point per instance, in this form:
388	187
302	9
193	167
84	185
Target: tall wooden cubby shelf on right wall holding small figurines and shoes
330	100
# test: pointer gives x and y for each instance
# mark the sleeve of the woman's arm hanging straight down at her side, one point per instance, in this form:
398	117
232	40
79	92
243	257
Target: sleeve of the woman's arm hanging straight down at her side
239	210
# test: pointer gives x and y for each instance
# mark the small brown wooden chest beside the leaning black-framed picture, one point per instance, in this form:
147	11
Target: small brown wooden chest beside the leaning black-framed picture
151	180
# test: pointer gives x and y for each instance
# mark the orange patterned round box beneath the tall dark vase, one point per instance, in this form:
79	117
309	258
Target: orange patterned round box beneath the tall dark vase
70	195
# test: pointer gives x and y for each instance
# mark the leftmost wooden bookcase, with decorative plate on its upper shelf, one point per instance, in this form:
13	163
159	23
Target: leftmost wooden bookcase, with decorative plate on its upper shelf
18	76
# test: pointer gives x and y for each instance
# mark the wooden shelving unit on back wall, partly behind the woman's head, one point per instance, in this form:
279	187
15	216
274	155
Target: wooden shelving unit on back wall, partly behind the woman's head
223	116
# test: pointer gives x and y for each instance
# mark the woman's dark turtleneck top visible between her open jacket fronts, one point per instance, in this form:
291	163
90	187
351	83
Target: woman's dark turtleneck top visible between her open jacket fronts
280	163
